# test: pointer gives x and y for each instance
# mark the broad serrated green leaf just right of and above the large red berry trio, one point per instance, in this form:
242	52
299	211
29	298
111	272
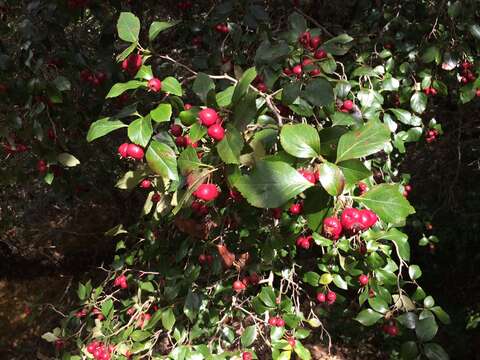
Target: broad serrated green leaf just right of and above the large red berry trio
387	202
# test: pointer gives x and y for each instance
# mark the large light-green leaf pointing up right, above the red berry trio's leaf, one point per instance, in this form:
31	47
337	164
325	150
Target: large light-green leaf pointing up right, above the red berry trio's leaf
362	142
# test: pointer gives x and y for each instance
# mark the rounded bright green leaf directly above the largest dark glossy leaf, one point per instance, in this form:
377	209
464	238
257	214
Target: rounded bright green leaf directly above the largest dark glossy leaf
300	140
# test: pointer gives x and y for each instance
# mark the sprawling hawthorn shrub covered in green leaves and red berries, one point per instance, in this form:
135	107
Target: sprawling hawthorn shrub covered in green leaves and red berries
267	151
